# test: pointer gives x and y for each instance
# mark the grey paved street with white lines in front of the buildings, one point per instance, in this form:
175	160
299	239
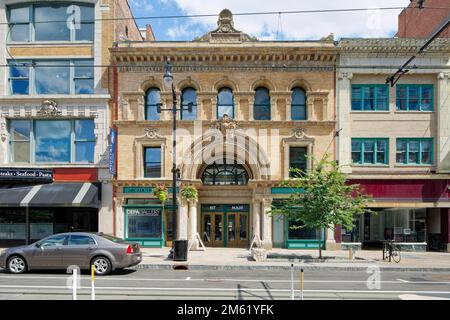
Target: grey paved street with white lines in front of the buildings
228	285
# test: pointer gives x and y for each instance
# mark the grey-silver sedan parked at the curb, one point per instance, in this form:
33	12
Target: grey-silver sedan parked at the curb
106	253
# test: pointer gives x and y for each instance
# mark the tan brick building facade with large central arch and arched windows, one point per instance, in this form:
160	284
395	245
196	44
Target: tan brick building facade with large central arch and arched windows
258	108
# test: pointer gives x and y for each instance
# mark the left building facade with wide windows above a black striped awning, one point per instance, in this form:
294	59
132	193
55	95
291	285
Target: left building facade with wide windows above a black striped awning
54	122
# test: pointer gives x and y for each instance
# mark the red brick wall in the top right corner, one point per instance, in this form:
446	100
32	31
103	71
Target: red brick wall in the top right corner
420	23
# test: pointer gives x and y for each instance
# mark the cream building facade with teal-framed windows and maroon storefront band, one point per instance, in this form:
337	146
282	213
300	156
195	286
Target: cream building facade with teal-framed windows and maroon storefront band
395	140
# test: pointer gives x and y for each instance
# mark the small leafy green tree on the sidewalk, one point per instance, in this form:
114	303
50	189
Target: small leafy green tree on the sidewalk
322	198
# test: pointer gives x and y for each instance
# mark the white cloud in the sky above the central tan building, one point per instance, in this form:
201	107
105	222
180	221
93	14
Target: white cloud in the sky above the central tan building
367	23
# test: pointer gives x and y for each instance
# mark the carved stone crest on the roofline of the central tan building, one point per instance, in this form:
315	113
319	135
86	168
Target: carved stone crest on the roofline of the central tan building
225	32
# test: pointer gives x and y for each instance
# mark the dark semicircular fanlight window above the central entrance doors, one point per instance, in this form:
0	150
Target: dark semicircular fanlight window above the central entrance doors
226	174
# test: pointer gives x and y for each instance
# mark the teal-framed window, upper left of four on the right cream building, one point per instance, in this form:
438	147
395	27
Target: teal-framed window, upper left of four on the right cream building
370	97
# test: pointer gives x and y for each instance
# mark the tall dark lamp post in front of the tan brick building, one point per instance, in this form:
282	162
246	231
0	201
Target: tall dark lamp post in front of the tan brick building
168	82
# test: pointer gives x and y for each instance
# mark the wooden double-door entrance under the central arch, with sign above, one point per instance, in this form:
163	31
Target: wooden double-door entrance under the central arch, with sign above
225	226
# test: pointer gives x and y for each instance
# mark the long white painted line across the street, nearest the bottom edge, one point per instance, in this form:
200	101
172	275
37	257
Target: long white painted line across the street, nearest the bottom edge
232	289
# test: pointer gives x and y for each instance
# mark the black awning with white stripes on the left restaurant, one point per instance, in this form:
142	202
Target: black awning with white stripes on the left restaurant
52	195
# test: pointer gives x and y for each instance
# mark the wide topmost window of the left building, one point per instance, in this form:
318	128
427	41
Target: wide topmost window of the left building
49	22
